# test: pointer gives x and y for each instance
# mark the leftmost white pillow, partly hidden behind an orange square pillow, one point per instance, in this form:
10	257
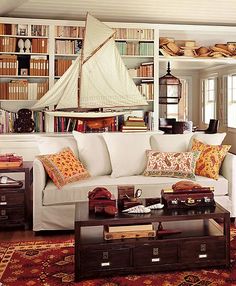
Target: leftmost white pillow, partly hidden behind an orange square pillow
52	144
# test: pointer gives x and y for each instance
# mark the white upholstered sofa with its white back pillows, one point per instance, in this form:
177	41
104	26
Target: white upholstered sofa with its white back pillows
115	159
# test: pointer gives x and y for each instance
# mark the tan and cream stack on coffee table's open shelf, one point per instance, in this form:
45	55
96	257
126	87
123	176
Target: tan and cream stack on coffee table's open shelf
128	231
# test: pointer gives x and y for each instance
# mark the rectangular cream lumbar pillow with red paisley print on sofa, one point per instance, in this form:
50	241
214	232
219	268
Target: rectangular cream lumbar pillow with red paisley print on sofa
171	164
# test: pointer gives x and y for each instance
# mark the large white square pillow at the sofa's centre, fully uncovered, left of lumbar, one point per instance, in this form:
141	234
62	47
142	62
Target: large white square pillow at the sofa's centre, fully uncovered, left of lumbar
127	152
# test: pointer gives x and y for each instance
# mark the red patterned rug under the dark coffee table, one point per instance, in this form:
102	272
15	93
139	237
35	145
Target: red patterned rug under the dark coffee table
52	264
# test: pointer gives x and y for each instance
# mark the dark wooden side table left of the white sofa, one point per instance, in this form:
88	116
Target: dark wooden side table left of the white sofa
16	203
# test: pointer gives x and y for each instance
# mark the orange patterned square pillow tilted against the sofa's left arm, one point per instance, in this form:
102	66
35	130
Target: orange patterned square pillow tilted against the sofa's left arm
63	167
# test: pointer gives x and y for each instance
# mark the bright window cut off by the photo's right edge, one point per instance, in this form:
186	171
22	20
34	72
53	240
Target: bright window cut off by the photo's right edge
231	100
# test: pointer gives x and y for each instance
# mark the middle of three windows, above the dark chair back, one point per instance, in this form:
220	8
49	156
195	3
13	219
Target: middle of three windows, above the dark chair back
209	91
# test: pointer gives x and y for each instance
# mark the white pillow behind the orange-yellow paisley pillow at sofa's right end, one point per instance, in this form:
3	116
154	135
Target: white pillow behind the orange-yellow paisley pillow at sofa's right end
210	139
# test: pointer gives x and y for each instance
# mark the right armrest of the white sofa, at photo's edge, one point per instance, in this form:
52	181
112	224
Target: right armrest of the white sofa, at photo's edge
228	170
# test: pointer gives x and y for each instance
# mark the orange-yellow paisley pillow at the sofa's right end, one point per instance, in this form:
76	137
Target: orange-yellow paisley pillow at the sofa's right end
210	159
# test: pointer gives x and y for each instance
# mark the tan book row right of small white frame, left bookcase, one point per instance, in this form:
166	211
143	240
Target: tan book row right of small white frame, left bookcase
38	66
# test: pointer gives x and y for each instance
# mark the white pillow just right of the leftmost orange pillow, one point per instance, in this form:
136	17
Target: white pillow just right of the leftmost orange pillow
93	153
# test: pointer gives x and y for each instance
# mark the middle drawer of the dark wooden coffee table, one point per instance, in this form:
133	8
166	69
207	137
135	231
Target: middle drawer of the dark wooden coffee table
155	254
